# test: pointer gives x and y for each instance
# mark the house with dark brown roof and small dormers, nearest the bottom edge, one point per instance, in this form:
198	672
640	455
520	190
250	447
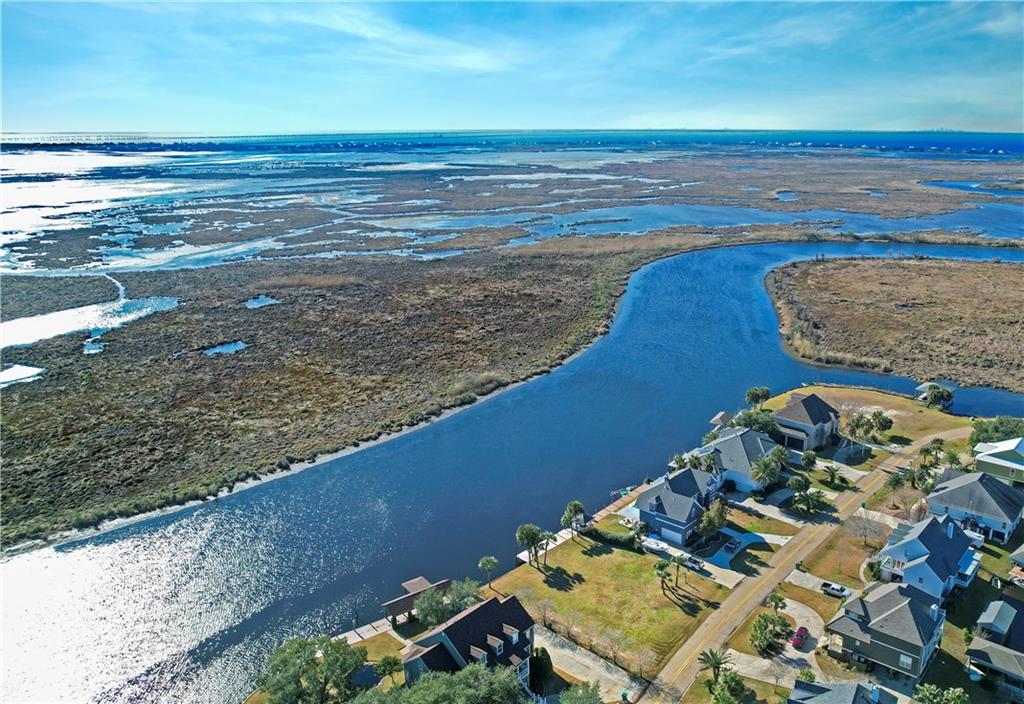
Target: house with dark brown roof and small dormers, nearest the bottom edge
498	632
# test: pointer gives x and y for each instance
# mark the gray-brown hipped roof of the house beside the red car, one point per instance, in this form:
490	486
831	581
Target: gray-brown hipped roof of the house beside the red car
900	611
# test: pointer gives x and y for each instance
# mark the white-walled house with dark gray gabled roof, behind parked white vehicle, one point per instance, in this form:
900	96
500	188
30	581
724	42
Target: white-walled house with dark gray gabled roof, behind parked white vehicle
934	556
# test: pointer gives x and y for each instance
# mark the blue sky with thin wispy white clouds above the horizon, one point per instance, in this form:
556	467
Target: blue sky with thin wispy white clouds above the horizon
251	69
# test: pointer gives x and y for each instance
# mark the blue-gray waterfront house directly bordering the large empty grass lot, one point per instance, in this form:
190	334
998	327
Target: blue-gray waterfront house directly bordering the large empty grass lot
673	505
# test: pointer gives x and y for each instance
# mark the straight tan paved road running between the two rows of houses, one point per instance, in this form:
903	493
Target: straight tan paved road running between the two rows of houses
684	669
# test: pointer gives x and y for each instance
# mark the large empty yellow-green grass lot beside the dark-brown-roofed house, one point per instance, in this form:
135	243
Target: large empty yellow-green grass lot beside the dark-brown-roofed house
607	593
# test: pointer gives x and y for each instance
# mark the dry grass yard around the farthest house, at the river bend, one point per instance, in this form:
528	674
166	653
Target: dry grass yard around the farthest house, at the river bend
911	420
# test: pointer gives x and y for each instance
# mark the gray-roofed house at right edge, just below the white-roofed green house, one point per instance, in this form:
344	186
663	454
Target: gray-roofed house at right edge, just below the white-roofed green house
979	503
